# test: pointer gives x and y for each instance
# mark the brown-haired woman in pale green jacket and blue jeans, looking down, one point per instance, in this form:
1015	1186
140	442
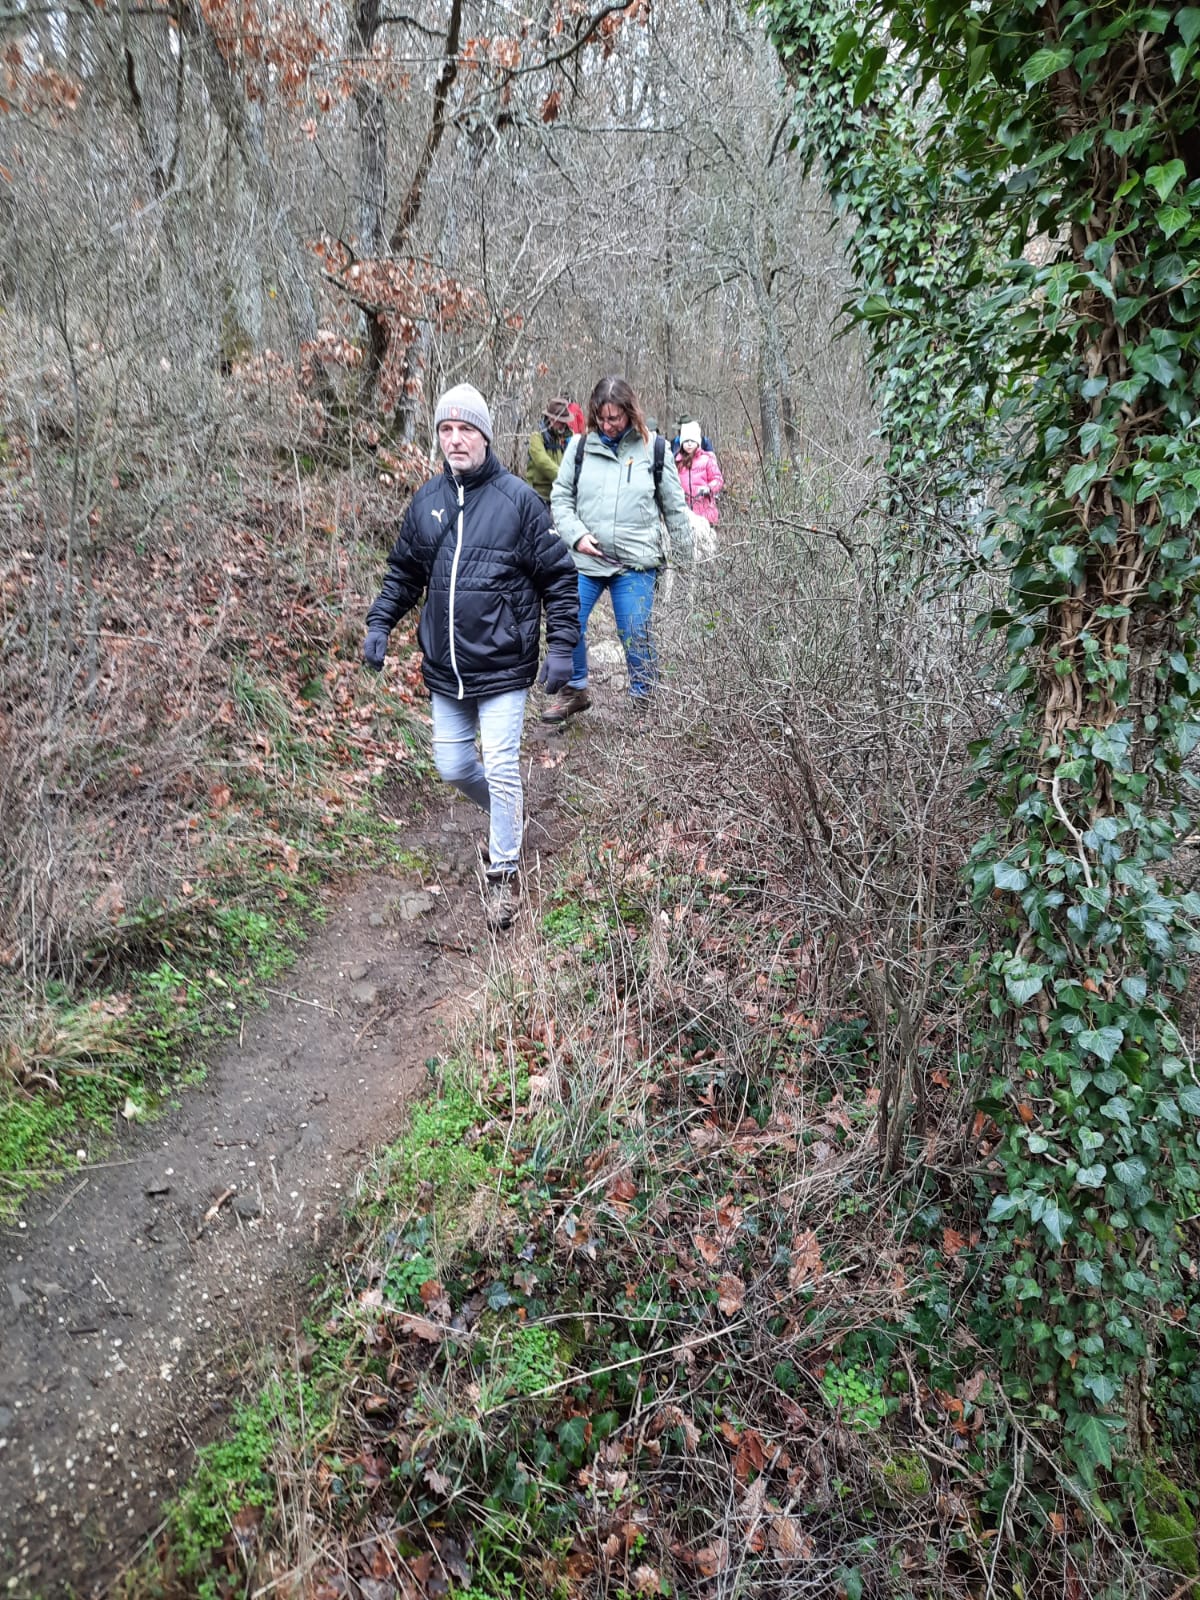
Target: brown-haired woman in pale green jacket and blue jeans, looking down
615	489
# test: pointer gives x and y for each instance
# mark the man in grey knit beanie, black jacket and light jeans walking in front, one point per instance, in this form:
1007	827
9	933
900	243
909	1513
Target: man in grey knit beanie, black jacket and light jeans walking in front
479	545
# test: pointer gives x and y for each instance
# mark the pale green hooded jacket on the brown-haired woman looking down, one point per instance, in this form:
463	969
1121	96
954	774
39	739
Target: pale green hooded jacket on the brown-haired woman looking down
617	506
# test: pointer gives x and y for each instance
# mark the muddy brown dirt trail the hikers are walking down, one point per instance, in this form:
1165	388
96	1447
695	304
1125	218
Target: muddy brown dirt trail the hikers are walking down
137	1292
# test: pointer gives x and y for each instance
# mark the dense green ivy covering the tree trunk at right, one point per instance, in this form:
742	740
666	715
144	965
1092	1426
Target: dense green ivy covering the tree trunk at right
1023	190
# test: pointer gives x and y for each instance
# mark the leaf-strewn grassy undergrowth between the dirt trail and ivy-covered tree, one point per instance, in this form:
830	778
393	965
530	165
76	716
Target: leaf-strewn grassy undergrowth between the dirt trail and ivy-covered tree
630	1313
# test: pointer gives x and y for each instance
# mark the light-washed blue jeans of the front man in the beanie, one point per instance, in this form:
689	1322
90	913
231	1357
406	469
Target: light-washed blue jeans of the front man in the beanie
495	782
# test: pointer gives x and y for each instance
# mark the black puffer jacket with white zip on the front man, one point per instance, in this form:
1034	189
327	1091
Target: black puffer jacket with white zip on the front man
484	553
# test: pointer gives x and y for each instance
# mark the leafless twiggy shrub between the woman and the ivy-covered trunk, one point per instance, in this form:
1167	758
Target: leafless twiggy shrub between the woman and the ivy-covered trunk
814	734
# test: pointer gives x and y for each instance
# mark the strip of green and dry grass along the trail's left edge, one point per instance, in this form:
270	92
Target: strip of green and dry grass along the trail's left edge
148	999
